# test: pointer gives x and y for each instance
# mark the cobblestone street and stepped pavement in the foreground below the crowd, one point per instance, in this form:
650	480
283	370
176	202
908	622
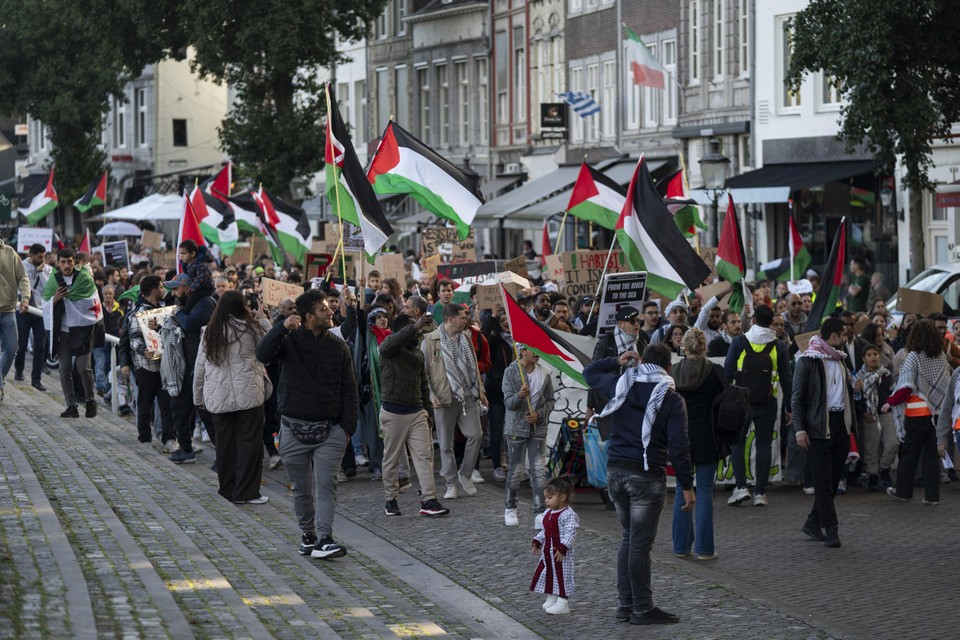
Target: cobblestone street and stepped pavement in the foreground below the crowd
101	536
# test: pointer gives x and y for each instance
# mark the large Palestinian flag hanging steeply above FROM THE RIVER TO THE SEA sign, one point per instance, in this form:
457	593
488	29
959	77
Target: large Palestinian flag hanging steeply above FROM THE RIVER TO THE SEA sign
651	241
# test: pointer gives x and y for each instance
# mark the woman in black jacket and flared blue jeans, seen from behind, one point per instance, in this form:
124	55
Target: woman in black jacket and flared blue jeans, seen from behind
698	381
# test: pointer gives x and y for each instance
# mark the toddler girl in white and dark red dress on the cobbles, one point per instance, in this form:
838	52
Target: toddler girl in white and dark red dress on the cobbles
554	543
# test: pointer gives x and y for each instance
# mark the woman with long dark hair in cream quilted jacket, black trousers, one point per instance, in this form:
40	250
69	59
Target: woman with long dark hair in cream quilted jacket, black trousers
229	382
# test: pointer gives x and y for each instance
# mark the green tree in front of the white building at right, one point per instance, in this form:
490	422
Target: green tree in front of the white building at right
898	69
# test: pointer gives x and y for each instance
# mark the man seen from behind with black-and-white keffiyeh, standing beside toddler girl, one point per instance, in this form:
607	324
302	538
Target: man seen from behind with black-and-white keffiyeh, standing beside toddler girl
648	421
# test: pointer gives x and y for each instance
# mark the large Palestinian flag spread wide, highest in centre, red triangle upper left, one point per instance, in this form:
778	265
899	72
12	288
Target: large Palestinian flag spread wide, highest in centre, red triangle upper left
404	164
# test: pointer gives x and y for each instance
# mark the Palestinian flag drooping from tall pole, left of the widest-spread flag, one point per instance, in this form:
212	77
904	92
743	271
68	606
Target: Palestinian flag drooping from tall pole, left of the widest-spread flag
350	193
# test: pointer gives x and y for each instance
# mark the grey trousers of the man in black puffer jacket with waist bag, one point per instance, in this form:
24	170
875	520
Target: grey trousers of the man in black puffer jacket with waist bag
312	470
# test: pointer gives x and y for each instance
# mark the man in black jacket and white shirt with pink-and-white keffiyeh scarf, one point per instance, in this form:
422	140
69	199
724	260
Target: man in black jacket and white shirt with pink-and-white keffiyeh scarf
823	415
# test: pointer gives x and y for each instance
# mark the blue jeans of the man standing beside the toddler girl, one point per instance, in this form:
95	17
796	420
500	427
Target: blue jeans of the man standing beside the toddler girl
639	499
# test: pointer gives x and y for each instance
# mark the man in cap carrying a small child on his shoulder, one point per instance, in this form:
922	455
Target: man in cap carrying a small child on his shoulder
181	404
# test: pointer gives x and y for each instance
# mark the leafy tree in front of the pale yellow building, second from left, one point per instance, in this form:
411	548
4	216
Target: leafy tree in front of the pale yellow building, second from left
270	52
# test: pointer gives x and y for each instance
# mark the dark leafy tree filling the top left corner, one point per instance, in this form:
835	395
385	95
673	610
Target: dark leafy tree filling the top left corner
61	61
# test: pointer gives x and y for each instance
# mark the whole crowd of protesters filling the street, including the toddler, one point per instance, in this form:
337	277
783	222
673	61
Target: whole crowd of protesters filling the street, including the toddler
376	378
